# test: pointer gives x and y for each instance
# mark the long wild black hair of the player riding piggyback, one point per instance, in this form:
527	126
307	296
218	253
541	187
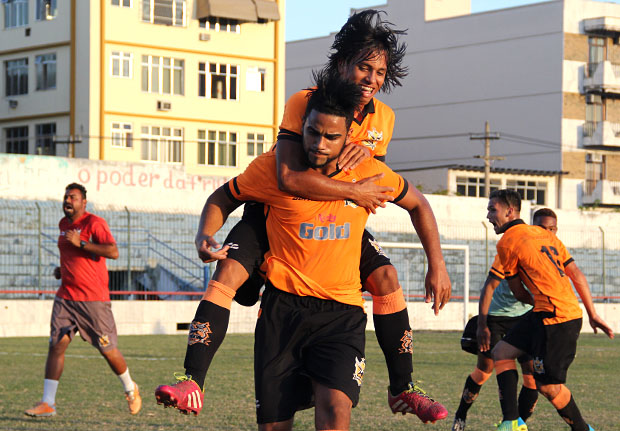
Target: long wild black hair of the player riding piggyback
363	36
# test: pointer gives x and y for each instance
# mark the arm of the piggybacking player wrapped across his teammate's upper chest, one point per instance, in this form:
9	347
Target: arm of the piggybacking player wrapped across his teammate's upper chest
295	178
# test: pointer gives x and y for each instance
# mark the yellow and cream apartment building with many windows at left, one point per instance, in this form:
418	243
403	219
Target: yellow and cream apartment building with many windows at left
197	83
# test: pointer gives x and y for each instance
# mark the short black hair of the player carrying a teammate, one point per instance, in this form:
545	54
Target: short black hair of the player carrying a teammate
333	95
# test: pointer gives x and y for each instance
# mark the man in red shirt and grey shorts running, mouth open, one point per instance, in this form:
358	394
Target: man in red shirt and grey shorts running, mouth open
83	301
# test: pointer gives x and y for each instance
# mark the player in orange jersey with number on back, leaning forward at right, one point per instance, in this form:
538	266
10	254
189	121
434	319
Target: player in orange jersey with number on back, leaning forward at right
534	256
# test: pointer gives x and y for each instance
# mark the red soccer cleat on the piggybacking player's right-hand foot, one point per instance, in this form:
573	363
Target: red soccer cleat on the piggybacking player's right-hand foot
414	400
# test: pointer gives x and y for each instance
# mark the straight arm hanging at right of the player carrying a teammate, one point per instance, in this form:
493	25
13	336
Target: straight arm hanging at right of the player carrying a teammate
437	284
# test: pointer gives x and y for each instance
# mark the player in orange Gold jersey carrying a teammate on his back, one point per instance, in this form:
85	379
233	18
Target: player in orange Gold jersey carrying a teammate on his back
310	332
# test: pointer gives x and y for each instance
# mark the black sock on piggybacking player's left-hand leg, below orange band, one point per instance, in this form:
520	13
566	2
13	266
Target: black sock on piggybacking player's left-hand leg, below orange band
206	333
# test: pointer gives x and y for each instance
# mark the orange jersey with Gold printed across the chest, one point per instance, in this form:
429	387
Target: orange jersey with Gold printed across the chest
315	245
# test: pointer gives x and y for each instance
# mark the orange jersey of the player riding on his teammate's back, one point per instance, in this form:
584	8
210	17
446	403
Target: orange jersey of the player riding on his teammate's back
374	131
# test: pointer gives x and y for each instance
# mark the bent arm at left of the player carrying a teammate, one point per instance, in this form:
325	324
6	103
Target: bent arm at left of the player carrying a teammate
214	214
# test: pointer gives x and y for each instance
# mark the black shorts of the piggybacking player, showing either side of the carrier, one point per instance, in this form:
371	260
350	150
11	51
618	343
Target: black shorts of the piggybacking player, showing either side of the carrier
248	244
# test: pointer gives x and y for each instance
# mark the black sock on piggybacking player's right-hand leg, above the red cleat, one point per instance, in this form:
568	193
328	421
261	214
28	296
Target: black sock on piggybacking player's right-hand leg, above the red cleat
395	338
